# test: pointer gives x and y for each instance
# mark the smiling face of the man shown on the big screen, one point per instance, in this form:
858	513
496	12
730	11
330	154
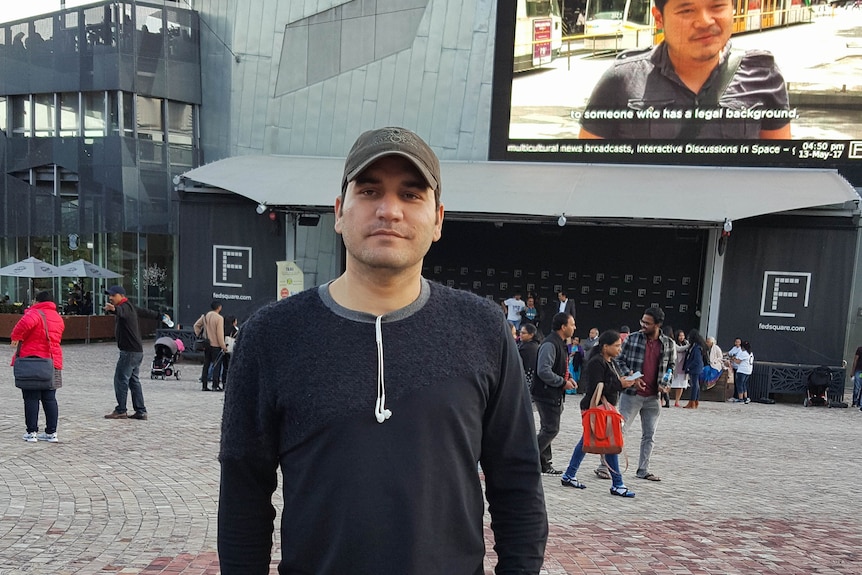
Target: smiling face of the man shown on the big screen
695	31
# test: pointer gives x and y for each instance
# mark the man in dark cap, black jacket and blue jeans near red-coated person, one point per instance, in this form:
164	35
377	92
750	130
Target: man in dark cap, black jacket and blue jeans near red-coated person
128	336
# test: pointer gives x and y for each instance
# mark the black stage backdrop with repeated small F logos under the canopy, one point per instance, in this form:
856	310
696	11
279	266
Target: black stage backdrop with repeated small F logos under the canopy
612	273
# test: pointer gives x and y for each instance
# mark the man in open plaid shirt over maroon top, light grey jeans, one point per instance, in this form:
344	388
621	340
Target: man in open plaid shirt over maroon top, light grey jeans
651	353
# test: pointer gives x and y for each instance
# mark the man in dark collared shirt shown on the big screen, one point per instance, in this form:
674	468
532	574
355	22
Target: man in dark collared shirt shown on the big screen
691	85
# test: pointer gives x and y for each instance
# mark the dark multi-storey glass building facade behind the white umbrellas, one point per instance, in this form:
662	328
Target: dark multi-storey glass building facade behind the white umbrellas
99	110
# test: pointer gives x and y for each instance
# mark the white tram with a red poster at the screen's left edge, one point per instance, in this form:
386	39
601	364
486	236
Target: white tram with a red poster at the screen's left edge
538	33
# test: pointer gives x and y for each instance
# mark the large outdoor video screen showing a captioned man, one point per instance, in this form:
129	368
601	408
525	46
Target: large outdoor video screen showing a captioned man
589	81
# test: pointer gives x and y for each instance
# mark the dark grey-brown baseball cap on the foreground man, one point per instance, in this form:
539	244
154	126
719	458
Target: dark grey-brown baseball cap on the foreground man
372	145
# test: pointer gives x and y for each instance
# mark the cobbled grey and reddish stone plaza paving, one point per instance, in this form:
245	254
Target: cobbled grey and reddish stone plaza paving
745	488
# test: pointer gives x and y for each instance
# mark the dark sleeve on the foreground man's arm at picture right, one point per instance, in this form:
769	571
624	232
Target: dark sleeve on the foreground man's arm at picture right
510	460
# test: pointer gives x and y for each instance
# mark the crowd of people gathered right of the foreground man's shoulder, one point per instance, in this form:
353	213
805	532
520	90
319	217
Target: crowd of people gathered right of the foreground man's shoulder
639	371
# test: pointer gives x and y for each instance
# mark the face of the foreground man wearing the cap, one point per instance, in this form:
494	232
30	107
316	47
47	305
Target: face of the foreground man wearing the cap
388	218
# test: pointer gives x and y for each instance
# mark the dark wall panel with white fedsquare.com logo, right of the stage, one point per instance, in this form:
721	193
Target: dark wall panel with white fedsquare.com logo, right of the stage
787	291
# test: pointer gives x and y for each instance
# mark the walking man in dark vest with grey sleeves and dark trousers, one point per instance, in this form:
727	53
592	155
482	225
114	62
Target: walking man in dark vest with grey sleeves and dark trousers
552	381
